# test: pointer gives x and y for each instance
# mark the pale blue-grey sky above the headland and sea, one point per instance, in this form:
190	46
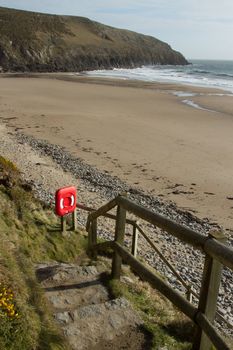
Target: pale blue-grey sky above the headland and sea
197	28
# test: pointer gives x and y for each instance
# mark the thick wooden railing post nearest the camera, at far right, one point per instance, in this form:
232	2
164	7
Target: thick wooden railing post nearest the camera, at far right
209	293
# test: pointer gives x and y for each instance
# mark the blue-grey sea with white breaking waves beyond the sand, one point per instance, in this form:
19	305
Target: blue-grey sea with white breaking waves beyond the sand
202	73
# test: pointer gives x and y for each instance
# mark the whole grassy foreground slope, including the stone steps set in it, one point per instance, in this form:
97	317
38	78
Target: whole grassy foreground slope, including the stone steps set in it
46	276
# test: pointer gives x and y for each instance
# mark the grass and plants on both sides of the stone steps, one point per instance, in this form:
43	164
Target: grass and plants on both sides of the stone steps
30	235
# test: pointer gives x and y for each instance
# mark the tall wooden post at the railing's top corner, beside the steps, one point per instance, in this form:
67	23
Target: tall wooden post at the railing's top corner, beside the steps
119	238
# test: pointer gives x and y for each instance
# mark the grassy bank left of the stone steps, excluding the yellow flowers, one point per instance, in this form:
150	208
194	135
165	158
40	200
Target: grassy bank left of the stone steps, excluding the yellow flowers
29	235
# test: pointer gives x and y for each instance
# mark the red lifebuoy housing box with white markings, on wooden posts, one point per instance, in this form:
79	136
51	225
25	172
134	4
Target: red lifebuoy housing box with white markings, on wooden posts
65	200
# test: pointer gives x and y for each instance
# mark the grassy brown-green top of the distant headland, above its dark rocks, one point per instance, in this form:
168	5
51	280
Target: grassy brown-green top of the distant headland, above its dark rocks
78	30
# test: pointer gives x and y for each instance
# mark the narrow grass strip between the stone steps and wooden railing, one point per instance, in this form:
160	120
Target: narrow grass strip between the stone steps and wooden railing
165	324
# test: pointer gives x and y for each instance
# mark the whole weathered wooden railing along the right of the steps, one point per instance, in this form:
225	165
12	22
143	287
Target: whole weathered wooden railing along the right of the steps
214	247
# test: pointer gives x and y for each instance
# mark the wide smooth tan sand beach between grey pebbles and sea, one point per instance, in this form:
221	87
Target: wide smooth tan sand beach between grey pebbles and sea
140	132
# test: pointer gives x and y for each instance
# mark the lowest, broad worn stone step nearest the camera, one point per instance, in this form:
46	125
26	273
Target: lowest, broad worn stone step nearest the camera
89	325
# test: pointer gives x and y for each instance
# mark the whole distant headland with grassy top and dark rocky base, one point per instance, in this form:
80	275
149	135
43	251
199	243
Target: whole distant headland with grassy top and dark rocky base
47	43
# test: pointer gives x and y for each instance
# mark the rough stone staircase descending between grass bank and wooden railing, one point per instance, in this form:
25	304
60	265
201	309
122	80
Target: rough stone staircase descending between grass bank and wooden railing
82	306
